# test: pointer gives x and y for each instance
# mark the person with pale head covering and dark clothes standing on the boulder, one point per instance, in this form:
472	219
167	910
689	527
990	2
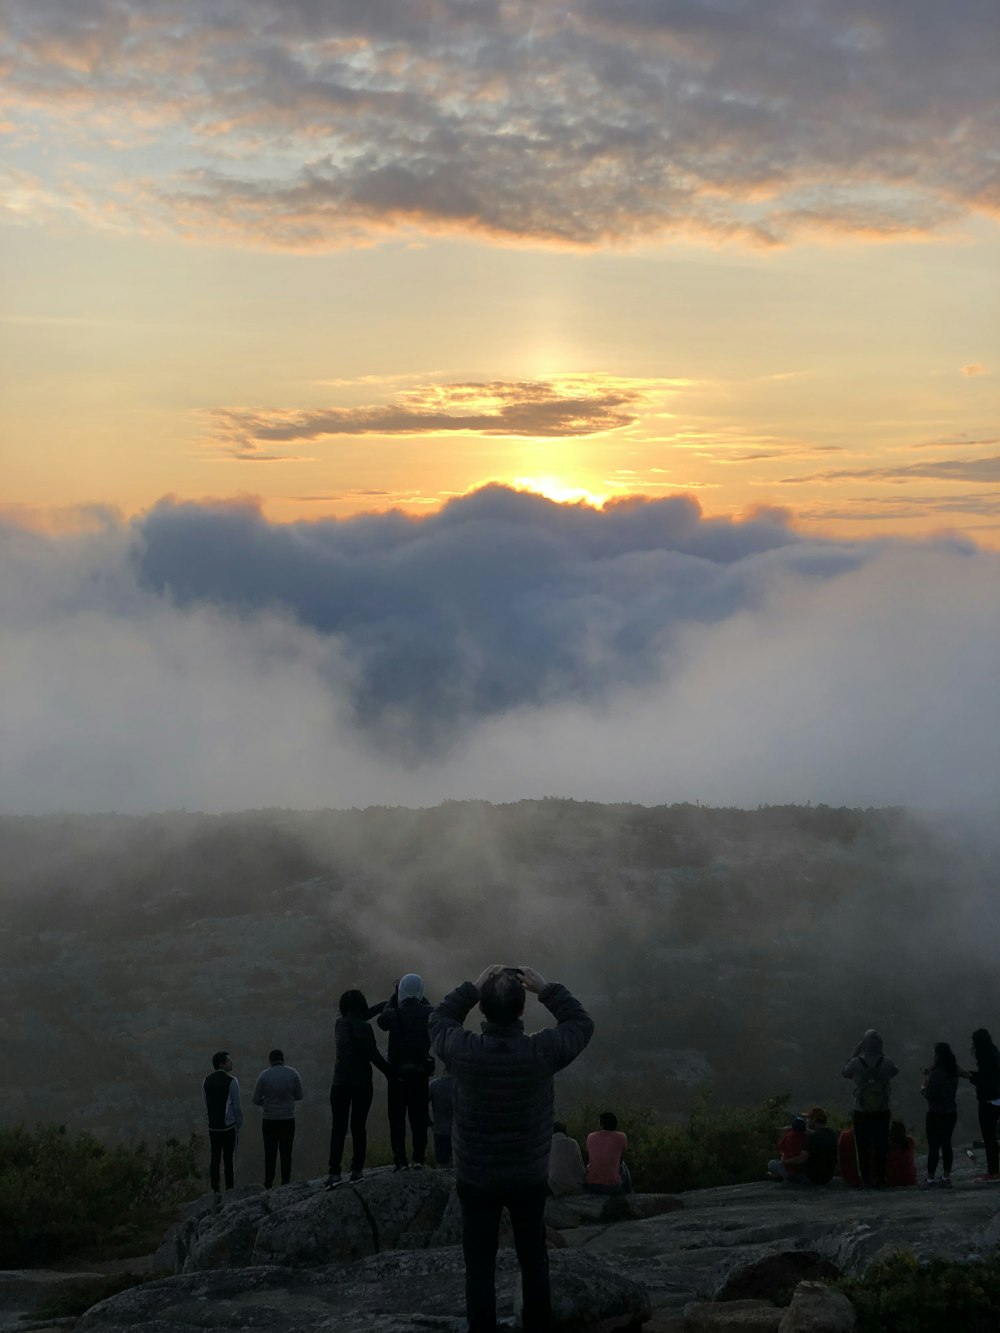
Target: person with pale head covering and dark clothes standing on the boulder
405	1018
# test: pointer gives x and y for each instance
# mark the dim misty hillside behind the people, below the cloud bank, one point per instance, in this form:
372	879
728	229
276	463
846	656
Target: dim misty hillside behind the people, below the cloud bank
738	950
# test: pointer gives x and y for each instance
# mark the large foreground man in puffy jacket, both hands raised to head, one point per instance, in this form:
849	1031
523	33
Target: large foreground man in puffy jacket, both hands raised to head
502	1134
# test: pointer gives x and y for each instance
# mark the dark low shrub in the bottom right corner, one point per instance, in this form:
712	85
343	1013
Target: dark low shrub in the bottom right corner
903	1295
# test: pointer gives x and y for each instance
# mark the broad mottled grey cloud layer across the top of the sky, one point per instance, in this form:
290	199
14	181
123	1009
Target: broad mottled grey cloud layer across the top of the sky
307	126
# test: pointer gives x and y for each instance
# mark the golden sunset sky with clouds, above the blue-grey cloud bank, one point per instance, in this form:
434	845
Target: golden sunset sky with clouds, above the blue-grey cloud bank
351	255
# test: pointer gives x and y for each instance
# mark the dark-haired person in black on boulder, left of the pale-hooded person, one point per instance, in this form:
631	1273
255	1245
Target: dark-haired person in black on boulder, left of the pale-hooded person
351	1091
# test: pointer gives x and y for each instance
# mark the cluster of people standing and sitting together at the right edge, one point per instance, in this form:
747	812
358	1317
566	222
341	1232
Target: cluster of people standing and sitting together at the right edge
877	1152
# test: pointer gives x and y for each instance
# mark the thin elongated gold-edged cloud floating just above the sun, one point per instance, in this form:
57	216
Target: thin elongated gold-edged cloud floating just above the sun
533	409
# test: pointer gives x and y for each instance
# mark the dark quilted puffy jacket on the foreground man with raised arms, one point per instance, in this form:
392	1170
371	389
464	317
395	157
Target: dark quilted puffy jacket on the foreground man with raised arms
502	1131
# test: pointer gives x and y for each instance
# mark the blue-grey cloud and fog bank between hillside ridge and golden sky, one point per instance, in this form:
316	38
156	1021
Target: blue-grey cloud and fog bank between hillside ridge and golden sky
505	647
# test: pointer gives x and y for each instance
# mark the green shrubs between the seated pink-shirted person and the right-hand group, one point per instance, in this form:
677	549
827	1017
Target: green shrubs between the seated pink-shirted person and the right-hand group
723	1146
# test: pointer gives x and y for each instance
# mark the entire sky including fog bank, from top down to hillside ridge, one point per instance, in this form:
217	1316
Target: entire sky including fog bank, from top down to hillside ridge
481	398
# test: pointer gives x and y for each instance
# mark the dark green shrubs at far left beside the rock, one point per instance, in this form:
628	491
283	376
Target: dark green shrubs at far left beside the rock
62	1195
